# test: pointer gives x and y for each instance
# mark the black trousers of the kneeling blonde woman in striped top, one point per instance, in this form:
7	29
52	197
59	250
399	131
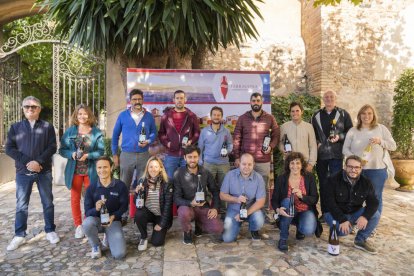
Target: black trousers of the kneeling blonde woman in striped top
142	218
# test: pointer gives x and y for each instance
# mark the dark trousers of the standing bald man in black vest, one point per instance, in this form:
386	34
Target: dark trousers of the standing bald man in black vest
325	168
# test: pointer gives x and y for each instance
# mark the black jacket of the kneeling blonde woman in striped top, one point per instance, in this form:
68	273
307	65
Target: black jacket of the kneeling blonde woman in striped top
166	201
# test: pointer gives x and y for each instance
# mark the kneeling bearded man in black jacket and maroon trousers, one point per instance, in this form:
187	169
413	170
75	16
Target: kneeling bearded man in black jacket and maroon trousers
197	197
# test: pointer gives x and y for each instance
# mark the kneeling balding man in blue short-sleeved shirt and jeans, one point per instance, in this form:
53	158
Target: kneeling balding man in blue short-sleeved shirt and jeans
243	185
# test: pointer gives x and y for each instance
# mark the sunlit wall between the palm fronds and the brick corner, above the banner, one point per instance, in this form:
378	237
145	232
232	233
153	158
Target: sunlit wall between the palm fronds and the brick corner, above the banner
279	49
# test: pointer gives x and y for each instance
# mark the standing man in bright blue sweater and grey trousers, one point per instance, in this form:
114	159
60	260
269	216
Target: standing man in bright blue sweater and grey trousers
134	151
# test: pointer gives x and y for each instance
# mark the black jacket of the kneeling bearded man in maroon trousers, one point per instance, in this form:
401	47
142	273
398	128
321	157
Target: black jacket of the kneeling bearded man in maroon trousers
185	187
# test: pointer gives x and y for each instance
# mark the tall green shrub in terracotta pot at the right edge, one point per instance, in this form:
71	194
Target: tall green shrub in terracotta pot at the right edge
403	130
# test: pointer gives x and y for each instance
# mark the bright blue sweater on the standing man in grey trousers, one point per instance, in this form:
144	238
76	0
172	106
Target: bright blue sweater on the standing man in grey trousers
130	132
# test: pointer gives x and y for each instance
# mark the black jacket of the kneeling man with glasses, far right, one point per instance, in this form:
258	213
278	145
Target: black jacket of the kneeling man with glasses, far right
343	198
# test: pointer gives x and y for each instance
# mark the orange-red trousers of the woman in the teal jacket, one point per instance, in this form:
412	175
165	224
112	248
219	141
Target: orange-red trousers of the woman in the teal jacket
75	195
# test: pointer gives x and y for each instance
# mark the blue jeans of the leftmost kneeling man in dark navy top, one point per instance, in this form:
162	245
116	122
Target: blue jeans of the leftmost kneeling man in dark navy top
116	239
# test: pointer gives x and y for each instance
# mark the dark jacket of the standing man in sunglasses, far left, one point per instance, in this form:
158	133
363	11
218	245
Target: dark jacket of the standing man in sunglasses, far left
25	144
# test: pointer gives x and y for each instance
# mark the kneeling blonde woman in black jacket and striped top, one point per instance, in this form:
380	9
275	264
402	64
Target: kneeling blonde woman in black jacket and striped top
157	194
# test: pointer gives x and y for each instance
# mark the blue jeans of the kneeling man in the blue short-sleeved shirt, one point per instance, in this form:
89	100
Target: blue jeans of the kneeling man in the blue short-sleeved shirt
232	227
